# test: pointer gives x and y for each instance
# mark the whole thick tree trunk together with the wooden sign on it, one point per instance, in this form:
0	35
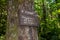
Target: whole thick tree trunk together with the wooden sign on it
22	20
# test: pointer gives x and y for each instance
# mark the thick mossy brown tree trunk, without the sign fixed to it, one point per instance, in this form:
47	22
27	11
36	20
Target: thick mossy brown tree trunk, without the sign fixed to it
16	31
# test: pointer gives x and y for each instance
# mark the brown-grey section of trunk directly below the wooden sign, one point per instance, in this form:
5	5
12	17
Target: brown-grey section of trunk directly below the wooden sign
27	33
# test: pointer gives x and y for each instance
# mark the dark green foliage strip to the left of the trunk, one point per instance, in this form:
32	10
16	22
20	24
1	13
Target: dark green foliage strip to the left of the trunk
3	19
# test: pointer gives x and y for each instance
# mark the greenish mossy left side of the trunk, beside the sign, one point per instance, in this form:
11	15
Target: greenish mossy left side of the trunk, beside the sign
12	19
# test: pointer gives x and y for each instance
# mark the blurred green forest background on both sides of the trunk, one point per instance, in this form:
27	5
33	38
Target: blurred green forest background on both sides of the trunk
49	14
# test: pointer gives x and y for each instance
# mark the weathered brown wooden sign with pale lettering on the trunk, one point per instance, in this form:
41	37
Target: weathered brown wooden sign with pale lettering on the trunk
28	18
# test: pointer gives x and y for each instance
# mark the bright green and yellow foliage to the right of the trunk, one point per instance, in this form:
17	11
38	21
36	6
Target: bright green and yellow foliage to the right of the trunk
50	21
